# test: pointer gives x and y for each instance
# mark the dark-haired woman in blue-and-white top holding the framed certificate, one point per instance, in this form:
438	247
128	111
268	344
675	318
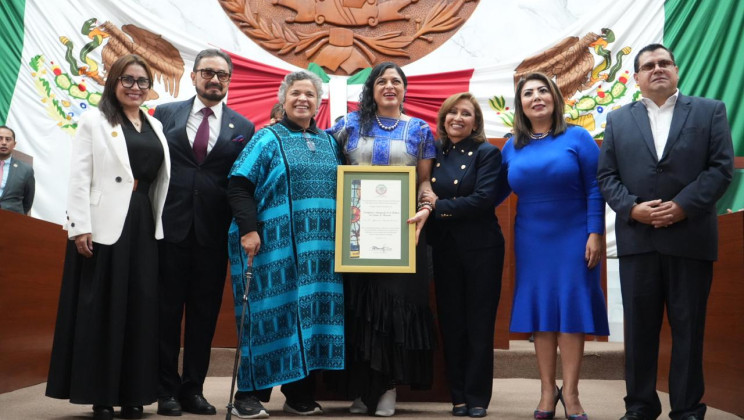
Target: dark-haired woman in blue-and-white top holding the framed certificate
390	330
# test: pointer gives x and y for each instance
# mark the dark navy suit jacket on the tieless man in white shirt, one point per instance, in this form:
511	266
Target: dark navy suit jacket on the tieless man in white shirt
694	172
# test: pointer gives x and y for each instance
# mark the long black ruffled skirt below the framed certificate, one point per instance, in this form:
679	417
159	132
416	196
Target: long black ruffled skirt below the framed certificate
390	333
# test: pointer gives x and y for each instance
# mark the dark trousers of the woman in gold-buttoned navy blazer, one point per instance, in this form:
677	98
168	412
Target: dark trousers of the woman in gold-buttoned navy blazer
468	286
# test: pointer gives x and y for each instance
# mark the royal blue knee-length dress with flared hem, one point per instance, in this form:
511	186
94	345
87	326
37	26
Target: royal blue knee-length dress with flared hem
559	206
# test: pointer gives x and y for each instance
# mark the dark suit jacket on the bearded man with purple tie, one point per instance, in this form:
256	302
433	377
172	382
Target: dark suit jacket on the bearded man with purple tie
198	192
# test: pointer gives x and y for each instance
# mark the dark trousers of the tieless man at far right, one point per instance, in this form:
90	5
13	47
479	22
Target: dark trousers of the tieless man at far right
649	282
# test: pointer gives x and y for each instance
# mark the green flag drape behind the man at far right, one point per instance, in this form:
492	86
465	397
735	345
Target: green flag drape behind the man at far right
706	38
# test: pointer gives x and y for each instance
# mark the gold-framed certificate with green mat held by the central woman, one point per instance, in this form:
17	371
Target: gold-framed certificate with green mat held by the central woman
372	206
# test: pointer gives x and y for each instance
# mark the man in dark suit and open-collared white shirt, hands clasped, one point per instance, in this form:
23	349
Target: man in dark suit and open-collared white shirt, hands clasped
664	163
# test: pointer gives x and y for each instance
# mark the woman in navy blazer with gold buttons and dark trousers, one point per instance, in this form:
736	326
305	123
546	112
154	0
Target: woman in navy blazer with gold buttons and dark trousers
468	250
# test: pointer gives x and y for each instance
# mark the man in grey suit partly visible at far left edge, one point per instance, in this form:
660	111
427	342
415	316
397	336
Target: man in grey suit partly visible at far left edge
17	184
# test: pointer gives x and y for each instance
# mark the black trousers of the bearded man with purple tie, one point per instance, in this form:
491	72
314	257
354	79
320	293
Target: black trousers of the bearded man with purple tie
192	280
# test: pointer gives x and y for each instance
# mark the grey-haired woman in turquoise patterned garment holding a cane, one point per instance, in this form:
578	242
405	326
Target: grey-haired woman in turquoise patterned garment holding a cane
282	190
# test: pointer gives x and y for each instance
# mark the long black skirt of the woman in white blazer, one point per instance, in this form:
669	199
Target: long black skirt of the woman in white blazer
106	339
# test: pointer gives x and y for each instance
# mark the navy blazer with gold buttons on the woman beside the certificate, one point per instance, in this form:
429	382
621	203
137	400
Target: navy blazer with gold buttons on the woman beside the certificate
464	179
